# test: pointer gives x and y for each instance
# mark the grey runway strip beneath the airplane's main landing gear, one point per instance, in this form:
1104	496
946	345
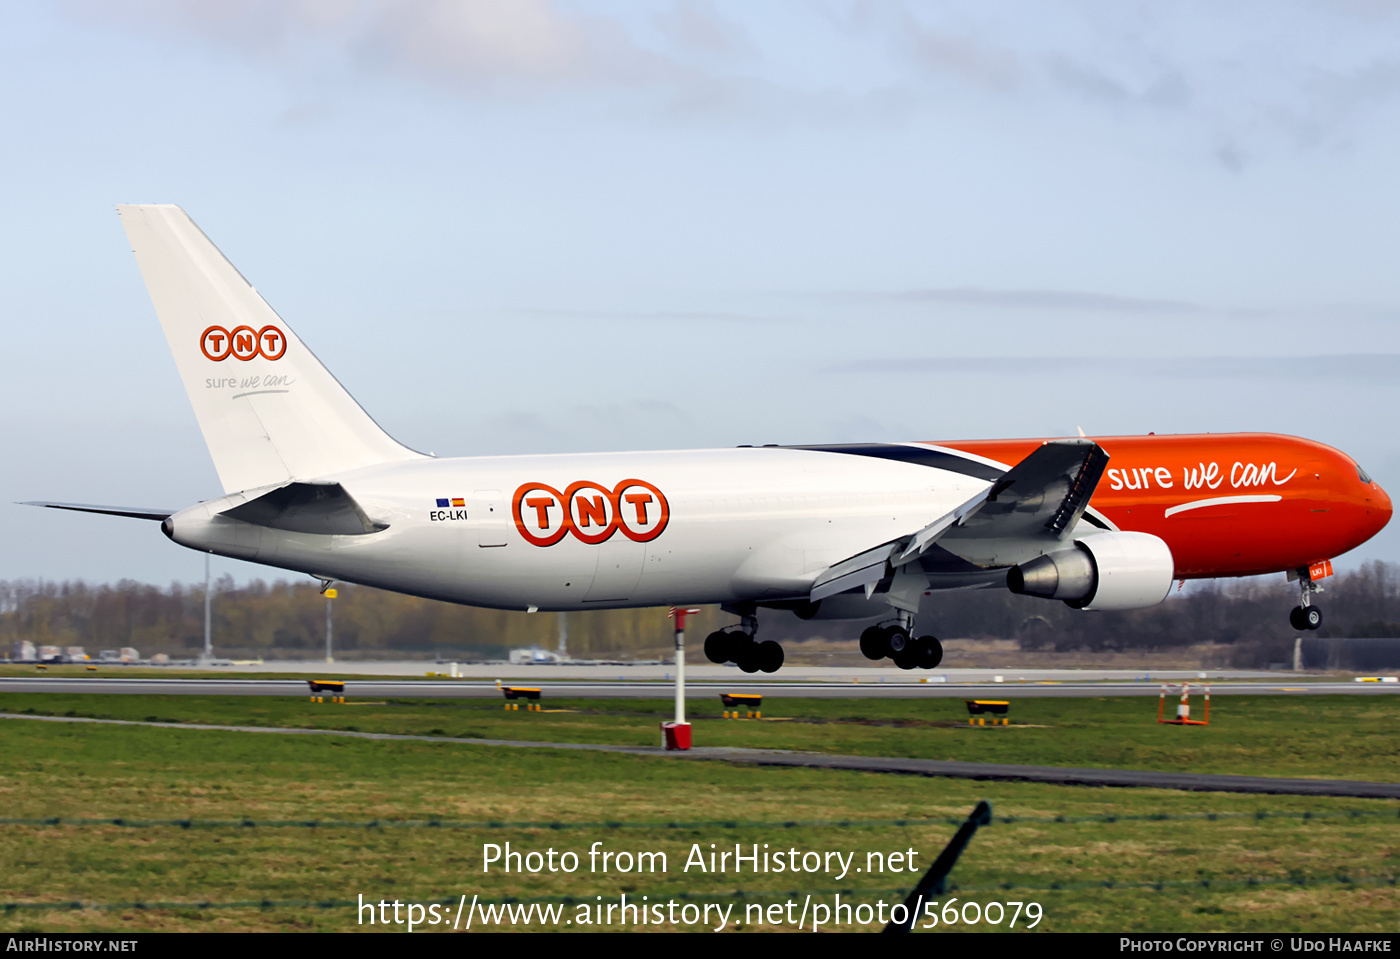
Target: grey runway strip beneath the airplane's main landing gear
663	689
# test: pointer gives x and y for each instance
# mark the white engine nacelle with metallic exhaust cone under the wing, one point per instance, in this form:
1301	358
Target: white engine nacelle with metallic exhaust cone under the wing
1112	570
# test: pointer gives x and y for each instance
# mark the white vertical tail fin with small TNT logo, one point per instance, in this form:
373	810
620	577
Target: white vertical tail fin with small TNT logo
269	411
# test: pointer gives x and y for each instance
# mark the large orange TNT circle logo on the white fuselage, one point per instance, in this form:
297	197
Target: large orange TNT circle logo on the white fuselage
590	512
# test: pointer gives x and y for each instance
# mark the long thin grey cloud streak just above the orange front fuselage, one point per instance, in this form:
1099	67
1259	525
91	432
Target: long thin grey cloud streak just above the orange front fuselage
1377	369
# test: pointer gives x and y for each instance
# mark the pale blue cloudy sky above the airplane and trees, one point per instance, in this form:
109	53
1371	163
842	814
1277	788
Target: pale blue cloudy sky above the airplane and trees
520	226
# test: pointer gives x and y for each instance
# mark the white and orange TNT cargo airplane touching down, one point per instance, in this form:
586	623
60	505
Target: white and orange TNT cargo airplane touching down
843	533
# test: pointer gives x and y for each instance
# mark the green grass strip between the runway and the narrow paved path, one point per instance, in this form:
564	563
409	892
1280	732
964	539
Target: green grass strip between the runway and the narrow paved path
1328	737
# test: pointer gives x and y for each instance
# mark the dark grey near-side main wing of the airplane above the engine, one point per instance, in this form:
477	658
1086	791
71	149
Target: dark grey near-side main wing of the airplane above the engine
1035	503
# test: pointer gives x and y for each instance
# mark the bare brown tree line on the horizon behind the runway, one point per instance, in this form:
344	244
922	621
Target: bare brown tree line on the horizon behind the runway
282	619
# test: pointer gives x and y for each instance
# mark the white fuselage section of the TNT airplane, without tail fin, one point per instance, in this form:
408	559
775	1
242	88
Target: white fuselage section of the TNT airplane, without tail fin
696	527
